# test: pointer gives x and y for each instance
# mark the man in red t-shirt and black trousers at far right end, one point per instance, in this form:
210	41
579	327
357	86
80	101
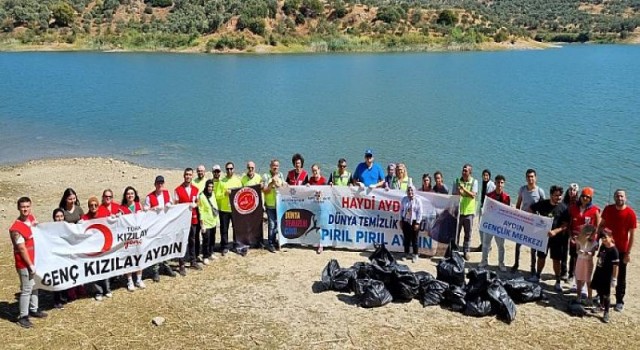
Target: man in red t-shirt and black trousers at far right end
621	219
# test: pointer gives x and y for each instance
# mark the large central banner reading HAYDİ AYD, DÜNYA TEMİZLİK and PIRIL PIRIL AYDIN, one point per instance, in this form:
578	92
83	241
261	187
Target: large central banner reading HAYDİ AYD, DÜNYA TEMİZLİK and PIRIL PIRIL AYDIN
354	218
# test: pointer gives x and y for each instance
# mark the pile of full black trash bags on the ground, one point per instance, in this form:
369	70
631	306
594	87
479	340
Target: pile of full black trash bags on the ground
383	280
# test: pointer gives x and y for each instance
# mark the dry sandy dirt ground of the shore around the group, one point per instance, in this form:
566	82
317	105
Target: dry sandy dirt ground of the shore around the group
266	300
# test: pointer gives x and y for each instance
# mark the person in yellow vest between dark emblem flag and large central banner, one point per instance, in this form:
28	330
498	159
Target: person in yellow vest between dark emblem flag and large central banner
271	181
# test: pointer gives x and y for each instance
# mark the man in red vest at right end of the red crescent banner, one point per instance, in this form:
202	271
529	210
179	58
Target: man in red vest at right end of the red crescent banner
188	193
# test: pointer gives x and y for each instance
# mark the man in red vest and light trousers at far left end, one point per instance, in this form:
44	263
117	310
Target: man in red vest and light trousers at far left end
24	254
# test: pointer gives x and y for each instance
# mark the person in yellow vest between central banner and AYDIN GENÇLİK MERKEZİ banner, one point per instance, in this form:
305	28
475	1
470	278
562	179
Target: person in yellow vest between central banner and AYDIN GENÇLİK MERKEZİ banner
467	188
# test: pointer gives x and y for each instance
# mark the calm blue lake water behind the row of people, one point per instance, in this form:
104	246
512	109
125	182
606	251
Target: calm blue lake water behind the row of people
573	113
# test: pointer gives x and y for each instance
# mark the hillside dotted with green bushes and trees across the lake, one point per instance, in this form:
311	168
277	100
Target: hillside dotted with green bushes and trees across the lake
310	25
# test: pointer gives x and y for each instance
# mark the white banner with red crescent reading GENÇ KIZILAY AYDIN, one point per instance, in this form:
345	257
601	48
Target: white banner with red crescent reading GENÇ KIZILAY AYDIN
68	255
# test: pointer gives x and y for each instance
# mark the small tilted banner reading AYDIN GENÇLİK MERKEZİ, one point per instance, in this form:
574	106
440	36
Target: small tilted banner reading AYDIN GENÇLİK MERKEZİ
516	225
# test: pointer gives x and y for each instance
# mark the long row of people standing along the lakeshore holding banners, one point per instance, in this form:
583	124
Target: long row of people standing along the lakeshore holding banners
578	225
